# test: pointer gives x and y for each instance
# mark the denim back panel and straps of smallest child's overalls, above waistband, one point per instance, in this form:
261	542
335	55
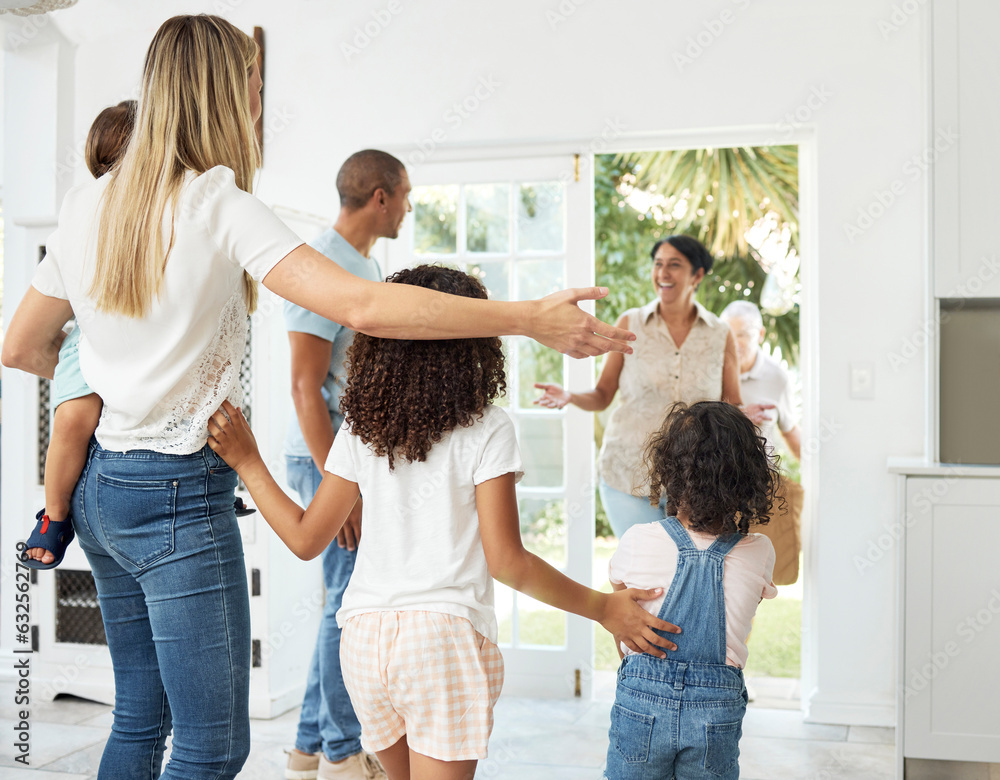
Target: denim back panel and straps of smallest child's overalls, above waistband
696	601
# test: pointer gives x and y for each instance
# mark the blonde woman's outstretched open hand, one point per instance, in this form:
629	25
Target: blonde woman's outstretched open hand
559	323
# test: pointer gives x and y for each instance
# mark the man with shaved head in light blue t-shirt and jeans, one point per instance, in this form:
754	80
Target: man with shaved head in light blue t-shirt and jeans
374	198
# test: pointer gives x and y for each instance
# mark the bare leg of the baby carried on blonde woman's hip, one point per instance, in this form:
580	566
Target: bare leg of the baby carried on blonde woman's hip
74	423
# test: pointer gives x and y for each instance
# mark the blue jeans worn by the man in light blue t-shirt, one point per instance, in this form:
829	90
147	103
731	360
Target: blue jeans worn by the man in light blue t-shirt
327	721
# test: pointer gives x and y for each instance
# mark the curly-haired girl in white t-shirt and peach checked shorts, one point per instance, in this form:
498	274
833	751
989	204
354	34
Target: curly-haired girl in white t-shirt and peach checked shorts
436	462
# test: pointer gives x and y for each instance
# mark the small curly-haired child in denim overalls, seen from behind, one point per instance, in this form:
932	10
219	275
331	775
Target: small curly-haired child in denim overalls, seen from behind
681	717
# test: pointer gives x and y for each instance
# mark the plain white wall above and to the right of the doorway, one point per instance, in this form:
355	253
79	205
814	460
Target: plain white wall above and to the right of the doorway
563	71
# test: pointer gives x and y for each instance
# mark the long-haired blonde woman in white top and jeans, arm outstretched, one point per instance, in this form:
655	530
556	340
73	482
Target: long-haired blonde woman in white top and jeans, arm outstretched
159	262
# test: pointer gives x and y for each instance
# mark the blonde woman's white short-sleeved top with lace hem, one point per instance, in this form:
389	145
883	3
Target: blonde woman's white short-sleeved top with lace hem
162	376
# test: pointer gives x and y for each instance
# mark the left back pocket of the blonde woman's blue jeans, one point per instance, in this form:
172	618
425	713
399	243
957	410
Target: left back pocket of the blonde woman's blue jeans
137	517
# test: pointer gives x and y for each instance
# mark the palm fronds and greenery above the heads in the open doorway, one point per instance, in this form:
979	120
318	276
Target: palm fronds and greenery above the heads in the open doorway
719	196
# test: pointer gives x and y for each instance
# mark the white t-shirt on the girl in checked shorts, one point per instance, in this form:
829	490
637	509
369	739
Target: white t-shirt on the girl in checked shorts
420	545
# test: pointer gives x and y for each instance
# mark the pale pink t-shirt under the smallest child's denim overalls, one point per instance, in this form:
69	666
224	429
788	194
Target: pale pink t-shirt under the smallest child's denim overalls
647	558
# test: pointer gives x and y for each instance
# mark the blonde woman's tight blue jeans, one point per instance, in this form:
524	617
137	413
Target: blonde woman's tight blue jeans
161	537
